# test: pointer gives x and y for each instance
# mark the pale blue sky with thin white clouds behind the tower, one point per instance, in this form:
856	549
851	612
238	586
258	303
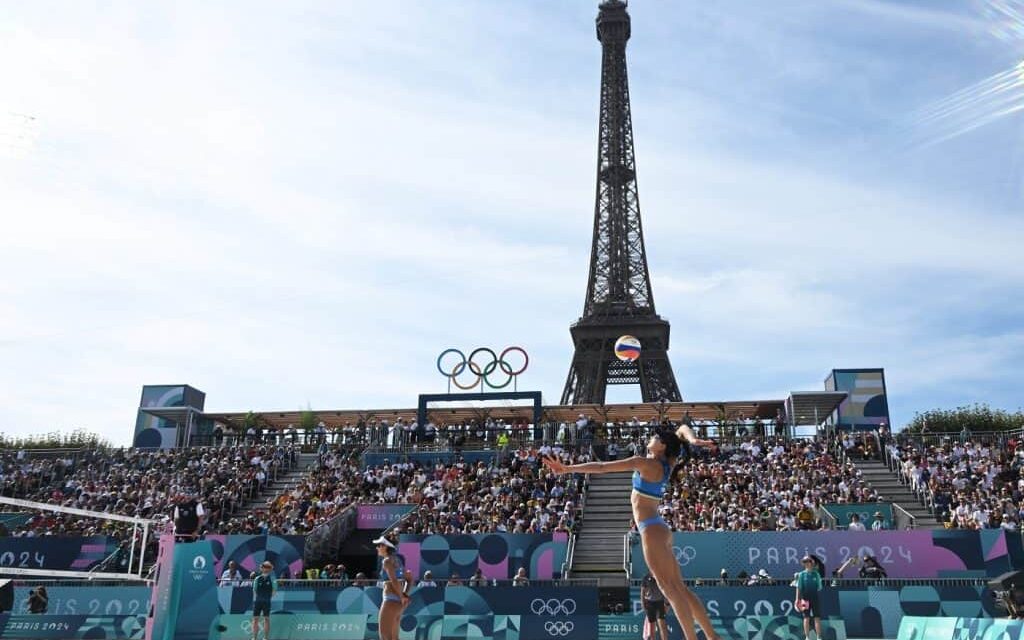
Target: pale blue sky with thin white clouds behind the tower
301	203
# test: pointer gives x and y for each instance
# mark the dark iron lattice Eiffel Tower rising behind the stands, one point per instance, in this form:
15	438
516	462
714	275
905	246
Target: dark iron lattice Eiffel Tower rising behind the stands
619	294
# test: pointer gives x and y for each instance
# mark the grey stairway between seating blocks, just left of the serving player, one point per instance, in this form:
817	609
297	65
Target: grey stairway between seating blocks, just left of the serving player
599	551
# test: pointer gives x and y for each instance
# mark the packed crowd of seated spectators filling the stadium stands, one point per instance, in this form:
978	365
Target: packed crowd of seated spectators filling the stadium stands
752	484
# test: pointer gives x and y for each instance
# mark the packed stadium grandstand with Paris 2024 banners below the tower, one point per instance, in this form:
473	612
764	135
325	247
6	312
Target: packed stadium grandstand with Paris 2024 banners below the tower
472	509
